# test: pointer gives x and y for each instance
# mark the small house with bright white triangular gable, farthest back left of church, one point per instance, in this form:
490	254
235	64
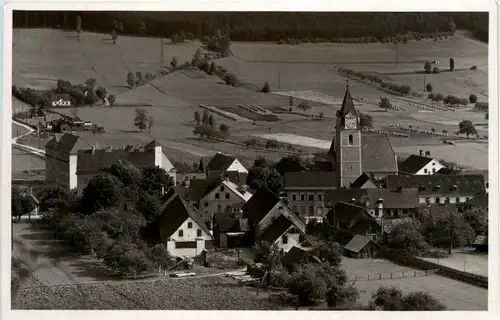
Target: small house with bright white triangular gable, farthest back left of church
226	166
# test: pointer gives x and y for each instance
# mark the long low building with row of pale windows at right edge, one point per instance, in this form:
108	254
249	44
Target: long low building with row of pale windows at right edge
440	189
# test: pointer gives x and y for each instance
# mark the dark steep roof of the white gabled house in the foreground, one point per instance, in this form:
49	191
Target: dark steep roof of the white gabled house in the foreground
176	213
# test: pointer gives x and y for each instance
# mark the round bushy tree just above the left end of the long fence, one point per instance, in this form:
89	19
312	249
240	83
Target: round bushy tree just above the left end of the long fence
407	239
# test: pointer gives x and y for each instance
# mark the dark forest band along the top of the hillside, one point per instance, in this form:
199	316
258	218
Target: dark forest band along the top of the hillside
260	26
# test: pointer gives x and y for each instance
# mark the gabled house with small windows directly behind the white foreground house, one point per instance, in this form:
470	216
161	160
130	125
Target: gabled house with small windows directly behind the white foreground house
216	195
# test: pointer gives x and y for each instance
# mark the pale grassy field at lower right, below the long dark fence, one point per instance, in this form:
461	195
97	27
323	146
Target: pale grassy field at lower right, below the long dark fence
454	294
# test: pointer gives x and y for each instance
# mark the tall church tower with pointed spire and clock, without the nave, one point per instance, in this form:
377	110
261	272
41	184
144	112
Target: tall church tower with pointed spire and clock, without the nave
348	157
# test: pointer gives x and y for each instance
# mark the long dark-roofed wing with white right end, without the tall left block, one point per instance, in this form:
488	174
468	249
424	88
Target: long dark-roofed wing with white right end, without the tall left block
91	161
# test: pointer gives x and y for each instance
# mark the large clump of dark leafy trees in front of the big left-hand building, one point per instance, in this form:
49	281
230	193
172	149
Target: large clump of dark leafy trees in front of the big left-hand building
116	218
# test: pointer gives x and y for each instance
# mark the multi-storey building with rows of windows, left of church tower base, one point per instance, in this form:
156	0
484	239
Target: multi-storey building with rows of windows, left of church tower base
305	192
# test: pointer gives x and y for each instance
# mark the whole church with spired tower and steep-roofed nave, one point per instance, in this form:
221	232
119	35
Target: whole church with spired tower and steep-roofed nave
354	154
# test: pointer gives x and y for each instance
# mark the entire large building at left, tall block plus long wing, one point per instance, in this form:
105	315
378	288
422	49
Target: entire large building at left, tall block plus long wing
70	162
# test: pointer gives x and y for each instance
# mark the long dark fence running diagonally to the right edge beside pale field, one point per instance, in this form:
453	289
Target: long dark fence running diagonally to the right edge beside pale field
414	262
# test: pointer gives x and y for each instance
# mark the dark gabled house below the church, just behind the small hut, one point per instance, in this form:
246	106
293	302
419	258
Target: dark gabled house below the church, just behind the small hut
353	218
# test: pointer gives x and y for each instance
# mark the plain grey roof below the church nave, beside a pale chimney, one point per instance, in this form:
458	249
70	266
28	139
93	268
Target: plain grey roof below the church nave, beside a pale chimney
393	199
